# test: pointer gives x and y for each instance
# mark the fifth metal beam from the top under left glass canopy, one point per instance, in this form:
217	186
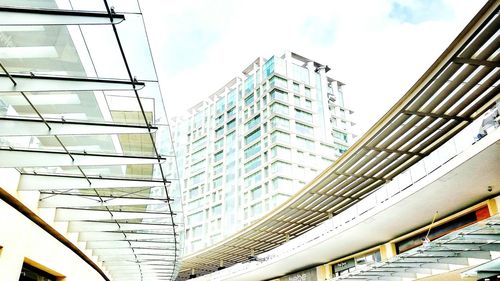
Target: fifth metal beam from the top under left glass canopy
55	182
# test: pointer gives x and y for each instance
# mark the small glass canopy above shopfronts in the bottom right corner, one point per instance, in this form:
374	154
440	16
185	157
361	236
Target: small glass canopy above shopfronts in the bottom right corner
457	250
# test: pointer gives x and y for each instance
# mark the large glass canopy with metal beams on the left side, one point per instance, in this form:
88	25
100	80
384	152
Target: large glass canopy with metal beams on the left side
83	121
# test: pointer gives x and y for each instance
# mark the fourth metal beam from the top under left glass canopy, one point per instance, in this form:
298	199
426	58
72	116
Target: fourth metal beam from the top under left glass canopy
18	158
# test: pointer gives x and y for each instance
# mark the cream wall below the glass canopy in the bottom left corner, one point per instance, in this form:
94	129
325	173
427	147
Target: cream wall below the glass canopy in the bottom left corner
22	240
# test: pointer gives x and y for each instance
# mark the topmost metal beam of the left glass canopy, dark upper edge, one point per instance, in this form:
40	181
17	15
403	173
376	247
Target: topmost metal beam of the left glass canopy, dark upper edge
33	16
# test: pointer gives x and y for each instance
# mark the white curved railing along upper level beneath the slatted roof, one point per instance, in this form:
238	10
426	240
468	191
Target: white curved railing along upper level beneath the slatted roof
458	144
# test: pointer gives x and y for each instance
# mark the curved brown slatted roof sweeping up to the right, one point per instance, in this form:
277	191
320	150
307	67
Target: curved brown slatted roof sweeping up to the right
456	89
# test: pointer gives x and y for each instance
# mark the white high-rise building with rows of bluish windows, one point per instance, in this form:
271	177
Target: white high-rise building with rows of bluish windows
256	141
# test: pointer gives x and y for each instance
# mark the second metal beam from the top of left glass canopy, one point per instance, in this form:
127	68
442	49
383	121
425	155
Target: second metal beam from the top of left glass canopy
45	83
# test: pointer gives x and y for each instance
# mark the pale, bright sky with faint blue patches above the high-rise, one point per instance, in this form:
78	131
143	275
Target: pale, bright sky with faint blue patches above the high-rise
378	48
